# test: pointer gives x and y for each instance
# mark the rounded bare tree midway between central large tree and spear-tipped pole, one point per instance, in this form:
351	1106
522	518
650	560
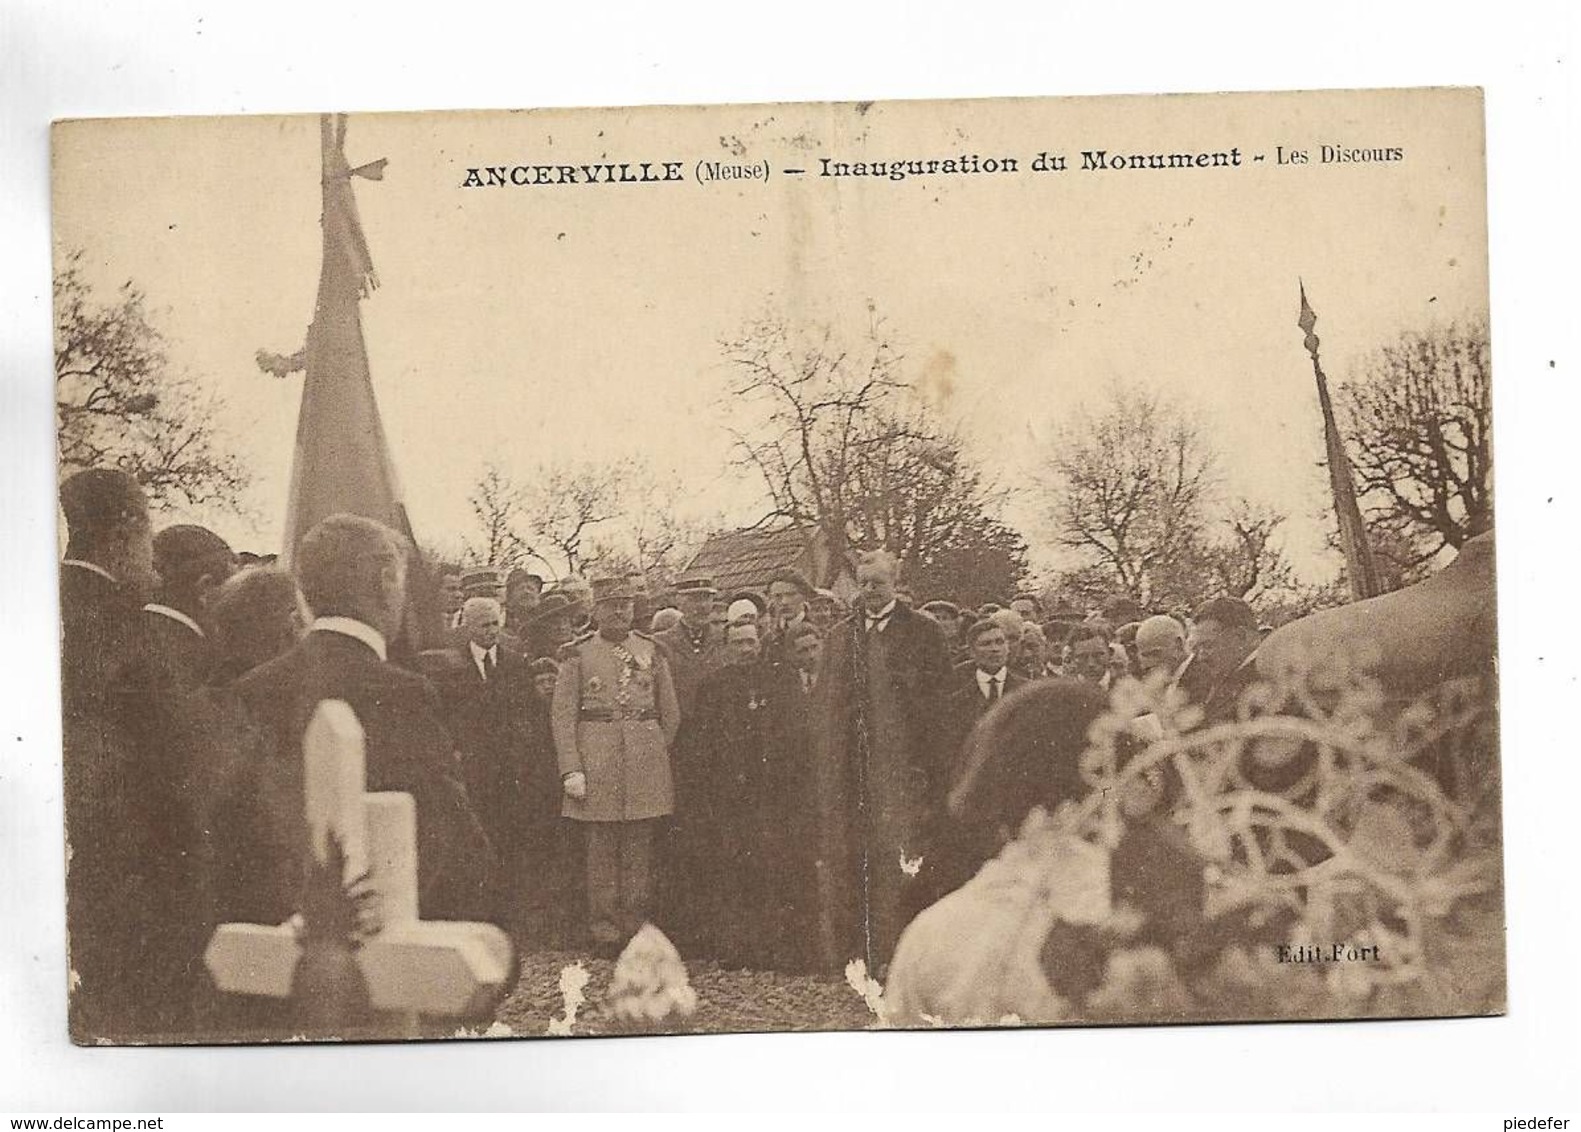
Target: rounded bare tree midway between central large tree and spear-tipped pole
1131	489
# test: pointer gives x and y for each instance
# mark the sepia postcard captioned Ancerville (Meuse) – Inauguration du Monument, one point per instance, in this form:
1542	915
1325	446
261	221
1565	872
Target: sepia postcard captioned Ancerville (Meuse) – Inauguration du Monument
753	568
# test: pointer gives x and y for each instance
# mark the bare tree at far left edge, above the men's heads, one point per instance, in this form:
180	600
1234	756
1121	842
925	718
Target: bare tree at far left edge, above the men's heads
121	402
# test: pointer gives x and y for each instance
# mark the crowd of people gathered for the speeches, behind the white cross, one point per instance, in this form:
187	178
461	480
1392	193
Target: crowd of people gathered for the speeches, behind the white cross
772	777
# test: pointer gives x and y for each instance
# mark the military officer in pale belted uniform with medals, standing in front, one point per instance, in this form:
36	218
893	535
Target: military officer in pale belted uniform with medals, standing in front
614	719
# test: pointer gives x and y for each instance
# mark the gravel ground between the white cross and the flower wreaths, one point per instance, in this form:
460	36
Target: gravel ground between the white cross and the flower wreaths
728	1002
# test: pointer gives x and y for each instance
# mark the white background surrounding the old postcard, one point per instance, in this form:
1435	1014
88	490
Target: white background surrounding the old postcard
81	59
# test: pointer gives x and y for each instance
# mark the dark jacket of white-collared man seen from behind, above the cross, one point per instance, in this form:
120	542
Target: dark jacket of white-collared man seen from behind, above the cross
263	836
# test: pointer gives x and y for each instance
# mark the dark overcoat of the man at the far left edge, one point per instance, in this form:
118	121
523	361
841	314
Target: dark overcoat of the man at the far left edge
134	918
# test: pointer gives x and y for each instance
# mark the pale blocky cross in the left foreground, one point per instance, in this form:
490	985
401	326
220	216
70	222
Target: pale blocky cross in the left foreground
412	967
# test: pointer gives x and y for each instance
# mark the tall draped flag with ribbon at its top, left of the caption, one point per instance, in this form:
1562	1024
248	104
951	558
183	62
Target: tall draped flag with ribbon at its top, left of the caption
342	461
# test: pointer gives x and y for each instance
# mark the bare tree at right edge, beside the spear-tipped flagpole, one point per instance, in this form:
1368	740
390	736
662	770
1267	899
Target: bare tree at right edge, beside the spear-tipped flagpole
1419	423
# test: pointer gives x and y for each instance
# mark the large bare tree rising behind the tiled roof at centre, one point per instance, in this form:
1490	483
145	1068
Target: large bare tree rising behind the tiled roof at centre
843	448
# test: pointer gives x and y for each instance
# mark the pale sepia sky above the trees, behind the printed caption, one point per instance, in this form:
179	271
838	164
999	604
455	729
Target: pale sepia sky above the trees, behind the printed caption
527	325
